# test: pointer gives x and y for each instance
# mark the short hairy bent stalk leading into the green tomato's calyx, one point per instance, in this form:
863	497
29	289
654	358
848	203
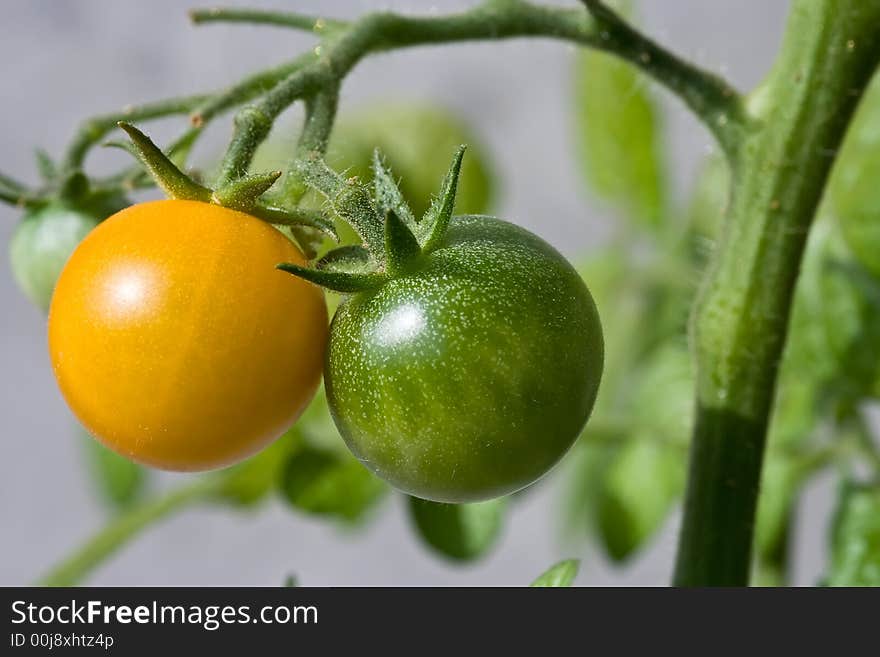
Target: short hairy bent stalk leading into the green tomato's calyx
349	199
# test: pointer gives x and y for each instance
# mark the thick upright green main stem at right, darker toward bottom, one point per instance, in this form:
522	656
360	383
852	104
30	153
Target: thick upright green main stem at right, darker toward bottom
829	53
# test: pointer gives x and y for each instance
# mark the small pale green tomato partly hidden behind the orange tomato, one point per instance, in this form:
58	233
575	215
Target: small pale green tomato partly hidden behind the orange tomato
41	244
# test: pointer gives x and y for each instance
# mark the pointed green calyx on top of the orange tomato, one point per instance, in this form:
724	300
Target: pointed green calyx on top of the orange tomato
246	194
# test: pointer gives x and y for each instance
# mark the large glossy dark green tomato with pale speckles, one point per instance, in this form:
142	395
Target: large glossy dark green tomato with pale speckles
470	377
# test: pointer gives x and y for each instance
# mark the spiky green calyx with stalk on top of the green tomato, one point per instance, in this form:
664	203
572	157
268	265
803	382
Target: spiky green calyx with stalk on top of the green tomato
393	240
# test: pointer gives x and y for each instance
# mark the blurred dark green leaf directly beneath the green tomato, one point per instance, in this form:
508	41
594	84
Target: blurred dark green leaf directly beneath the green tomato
462	532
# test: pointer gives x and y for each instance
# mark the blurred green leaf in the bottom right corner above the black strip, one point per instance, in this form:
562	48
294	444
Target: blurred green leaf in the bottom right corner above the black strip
855	537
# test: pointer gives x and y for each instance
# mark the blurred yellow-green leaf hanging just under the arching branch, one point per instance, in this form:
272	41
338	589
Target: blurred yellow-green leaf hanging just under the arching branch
619	136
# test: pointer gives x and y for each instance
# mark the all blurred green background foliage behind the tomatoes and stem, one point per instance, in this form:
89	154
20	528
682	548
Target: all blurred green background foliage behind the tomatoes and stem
626	474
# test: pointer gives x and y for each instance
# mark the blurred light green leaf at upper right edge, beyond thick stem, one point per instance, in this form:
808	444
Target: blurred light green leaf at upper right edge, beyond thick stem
854	188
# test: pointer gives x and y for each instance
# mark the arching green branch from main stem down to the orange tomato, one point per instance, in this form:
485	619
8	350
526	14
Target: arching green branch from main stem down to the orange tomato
710	97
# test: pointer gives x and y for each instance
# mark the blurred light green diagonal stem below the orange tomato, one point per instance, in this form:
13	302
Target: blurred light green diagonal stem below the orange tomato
123	528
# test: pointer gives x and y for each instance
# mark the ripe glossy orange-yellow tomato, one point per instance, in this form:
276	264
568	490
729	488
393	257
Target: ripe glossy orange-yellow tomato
177	343
